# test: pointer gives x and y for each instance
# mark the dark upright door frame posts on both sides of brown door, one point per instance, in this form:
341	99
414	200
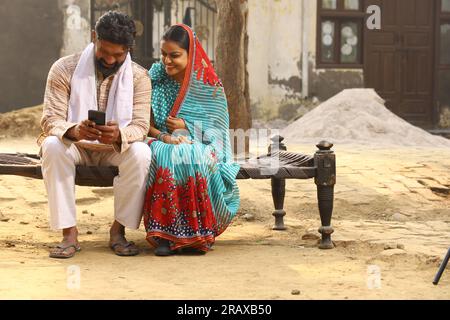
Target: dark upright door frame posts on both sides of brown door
435	47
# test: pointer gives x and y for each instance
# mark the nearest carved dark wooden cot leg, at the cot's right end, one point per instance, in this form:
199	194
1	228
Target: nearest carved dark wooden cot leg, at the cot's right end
325	162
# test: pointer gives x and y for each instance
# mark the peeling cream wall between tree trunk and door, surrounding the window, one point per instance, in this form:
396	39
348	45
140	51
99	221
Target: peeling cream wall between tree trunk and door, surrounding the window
275	51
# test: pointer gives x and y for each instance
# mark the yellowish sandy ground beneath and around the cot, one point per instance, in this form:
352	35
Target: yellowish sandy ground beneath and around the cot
384	219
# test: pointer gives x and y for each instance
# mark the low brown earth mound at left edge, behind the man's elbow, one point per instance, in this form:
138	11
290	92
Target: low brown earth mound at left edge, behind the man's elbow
20	123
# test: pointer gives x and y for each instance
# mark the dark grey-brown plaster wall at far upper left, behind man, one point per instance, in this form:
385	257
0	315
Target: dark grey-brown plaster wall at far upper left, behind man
31	40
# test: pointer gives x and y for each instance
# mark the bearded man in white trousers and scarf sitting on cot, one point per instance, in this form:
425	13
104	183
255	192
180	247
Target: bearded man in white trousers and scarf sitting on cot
103	78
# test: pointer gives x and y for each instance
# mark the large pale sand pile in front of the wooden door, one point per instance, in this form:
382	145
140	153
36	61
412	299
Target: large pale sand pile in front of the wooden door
358	116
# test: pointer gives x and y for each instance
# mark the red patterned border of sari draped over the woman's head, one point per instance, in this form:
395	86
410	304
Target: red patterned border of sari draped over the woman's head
199	62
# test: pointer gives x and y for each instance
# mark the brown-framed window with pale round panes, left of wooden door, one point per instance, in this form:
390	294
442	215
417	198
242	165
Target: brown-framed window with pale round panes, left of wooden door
339	36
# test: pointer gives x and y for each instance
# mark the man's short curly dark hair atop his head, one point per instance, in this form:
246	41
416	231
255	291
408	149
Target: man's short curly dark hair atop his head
117	28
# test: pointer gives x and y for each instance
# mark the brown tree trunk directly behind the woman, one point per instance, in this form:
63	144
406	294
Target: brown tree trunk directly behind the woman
231	62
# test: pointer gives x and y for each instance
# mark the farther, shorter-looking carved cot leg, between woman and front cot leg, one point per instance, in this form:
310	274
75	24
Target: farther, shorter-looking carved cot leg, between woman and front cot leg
278	187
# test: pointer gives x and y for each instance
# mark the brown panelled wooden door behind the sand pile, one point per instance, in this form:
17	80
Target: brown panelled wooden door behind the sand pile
399	58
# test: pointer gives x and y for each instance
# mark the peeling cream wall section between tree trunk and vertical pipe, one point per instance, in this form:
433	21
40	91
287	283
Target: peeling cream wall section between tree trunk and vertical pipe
274	52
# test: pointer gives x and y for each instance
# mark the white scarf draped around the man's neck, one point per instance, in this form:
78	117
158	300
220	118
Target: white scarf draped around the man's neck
83	96
